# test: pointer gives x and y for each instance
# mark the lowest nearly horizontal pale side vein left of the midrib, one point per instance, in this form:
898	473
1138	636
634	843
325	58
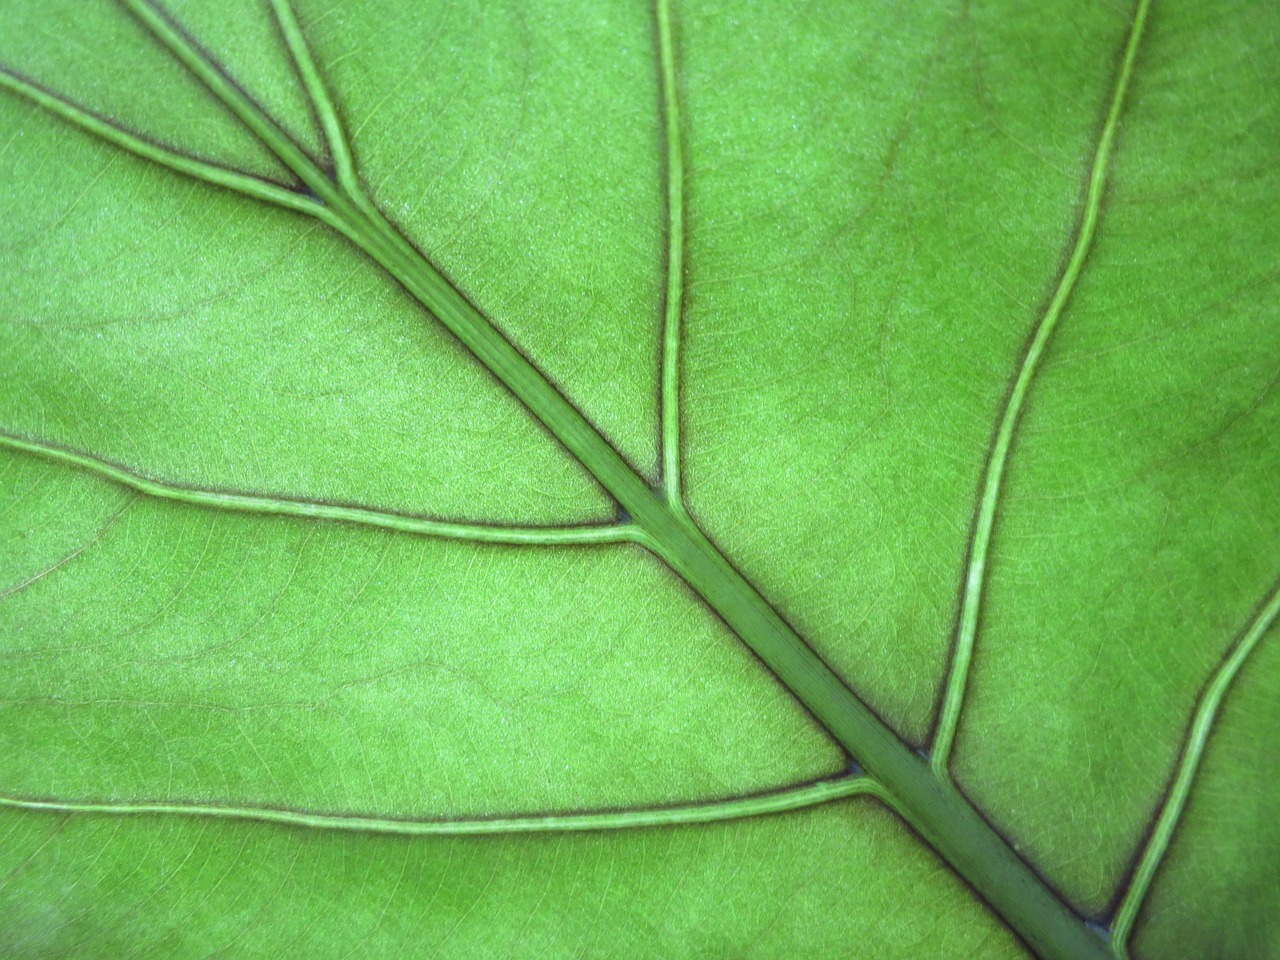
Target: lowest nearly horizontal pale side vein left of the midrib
735	810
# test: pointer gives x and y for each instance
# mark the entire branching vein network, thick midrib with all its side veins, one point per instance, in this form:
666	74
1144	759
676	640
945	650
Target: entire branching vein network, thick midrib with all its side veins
921	792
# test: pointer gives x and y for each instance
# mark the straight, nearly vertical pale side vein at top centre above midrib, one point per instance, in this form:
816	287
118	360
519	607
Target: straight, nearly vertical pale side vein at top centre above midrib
675	177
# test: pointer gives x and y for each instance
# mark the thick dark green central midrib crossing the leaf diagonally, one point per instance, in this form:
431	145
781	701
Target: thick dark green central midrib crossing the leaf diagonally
939	813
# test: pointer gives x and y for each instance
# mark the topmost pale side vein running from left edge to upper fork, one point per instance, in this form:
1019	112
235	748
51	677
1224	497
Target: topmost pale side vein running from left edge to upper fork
172	159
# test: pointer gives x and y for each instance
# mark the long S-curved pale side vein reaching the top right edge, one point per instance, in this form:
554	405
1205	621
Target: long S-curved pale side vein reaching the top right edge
998	461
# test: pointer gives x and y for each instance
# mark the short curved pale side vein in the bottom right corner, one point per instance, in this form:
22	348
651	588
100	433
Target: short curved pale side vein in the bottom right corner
1194	752
